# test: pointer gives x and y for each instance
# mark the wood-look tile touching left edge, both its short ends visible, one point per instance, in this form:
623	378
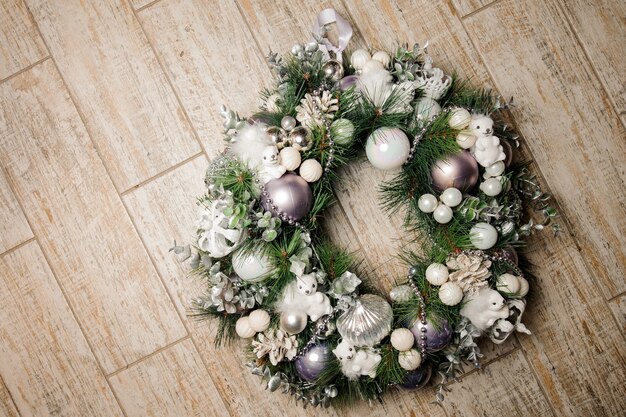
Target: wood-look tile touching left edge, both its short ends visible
81	222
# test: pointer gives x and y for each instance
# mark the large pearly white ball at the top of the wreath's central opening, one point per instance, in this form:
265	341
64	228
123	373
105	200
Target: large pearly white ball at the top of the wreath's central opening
387	148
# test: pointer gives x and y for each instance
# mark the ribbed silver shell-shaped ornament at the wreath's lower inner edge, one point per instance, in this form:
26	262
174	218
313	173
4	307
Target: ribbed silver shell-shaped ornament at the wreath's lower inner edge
367	322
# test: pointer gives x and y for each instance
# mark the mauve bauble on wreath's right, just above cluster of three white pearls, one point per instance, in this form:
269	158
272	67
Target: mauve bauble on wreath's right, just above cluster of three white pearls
459	171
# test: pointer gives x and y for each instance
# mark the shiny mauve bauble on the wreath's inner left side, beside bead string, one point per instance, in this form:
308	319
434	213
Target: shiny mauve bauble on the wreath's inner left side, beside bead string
289	194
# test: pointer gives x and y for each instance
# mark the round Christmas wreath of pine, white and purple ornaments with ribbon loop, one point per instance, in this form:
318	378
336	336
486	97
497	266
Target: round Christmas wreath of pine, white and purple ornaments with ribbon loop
317	330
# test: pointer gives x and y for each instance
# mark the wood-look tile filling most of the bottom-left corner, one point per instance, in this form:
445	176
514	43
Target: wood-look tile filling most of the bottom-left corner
45	360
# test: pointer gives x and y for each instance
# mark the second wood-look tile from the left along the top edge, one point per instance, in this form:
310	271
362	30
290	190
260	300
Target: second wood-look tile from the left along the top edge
127	104
